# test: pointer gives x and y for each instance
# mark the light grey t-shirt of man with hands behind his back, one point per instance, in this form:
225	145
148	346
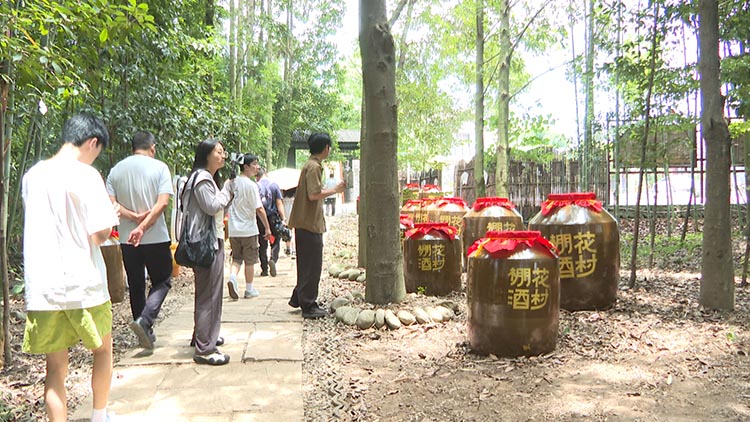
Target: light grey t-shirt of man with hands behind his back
136	182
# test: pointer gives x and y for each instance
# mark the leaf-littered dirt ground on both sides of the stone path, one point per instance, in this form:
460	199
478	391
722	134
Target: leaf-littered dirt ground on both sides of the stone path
654	356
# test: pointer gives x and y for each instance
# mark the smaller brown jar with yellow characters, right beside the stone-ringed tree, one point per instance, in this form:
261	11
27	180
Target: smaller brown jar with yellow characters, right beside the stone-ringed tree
432	259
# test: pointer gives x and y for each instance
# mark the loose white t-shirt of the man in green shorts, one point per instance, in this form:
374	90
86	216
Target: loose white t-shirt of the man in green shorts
65	203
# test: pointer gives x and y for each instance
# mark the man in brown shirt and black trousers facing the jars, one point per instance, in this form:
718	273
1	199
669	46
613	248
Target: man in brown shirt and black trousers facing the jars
309	225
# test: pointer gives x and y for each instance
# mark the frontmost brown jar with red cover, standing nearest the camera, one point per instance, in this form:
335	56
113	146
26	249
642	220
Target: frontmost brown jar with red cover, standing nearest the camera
513	294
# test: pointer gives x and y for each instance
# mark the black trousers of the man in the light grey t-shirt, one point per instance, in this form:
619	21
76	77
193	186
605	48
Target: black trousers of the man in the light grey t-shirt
156	258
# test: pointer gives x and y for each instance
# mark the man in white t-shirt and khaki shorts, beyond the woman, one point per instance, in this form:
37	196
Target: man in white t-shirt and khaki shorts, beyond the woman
243	229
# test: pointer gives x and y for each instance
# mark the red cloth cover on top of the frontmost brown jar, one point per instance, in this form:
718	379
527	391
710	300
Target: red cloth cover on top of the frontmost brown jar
501	244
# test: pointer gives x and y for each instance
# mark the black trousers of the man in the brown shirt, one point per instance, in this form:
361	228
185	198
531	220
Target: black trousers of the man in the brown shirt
309	267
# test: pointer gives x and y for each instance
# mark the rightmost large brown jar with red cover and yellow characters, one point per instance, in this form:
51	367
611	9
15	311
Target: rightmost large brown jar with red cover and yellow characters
588	242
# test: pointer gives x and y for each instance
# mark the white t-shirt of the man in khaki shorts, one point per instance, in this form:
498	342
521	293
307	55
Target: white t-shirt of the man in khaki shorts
242	217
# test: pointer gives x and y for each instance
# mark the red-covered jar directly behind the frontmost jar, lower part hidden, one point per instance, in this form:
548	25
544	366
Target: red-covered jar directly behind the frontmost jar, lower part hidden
489	214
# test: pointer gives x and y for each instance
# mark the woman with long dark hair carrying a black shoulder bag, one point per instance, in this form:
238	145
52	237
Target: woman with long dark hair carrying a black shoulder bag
203	201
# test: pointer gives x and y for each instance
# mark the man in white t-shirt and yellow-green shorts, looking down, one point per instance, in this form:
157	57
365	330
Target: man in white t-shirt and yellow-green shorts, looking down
68	214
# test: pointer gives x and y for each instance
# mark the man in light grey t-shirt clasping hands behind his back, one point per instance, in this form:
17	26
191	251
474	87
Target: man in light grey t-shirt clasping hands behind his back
142	186
